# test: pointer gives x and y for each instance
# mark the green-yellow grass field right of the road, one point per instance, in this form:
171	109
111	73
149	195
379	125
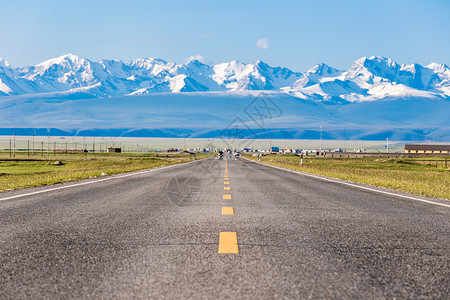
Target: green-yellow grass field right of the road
418	176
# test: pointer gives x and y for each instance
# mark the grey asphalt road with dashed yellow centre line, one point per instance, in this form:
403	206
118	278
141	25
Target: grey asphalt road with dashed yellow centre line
153	235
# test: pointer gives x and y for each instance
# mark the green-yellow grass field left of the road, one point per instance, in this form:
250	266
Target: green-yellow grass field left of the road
27	171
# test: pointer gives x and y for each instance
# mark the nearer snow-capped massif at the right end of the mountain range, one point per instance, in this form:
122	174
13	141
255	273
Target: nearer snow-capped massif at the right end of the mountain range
371	79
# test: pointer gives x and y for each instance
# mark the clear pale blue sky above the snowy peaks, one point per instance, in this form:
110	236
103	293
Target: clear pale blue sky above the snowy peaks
298	34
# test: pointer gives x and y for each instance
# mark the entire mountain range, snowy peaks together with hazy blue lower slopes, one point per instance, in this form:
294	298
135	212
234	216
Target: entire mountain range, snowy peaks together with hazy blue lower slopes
375	99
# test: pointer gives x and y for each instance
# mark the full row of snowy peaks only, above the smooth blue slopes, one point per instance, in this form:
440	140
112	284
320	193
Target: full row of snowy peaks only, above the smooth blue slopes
366	80
